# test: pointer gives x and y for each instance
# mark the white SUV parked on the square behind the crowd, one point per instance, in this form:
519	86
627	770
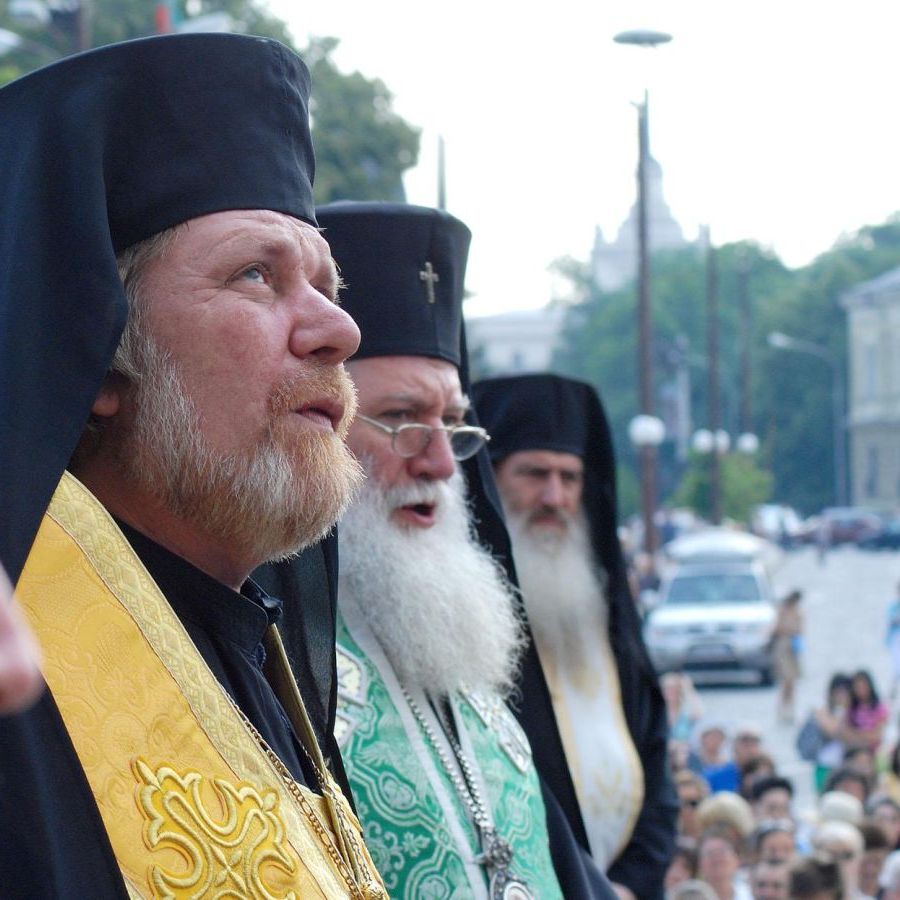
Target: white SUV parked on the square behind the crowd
713	615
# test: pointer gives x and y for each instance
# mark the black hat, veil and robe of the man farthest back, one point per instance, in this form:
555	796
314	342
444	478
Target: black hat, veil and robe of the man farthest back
561	414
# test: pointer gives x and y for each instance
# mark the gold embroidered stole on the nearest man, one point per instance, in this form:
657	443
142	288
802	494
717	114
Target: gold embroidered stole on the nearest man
193	806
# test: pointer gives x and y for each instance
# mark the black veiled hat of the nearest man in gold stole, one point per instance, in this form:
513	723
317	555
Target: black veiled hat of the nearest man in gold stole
98	152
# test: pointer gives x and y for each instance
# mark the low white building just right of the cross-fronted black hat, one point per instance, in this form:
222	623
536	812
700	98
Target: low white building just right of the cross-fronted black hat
515	342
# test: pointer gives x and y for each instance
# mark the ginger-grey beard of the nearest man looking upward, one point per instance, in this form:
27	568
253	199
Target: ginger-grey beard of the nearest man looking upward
272	501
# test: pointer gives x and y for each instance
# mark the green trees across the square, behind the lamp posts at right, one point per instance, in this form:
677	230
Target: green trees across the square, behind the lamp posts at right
791	392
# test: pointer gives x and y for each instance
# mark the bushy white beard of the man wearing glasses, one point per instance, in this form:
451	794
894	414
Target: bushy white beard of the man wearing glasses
437	602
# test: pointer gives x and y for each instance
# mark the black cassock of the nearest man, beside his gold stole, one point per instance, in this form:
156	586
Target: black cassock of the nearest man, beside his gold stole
52	840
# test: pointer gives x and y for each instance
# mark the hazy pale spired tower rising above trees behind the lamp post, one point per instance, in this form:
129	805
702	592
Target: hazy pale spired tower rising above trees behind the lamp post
615	264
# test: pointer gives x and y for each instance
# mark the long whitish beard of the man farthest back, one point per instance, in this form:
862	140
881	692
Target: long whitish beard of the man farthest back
563	587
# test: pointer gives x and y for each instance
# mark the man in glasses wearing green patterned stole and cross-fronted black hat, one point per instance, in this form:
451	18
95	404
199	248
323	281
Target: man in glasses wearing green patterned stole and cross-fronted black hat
430	640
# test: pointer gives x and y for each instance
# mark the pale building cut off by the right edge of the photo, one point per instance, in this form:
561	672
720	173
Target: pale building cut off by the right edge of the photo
873	408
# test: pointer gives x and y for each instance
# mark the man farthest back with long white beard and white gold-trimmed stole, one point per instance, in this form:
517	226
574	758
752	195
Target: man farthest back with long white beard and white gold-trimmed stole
553	458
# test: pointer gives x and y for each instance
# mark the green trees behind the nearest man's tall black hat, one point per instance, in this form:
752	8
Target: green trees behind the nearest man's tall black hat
362	146
